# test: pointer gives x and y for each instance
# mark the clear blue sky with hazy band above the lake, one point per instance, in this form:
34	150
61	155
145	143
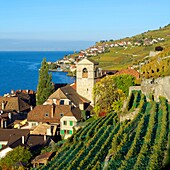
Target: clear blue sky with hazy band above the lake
75	24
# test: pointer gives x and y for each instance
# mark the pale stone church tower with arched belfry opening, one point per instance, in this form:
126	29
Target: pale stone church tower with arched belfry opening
87	72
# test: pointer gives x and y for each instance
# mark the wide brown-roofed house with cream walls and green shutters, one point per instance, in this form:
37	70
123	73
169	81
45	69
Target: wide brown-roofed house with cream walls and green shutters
59	119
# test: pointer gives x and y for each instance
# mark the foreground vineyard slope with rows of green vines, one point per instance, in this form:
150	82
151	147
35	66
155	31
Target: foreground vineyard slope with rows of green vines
107	143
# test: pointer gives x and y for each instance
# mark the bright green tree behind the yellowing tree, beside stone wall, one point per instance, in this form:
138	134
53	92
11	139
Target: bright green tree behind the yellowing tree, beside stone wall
123	82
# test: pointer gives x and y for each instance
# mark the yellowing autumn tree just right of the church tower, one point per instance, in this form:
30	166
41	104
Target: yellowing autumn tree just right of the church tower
106	95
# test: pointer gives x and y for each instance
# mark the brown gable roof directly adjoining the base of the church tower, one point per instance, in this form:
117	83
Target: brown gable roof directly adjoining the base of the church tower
68	92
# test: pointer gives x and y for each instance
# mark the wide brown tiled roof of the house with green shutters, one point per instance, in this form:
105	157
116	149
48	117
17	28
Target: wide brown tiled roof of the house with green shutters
48	113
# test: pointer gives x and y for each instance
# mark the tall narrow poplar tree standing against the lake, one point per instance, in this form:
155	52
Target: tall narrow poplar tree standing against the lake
45	87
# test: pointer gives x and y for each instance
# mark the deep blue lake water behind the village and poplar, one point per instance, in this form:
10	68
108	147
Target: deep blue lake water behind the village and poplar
19	70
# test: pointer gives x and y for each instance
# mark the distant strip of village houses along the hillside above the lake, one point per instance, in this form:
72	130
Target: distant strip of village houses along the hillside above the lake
69	63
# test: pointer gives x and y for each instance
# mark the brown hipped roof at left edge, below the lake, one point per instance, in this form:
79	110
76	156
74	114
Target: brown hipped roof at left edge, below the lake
13	103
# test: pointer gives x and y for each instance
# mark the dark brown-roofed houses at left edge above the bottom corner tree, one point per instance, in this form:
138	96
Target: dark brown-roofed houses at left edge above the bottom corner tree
11	138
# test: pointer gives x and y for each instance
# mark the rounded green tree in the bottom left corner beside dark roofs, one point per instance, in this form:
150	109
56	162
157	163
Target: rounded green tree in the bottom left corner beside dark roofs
18	154
